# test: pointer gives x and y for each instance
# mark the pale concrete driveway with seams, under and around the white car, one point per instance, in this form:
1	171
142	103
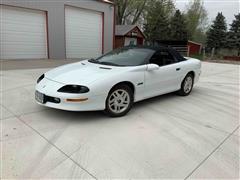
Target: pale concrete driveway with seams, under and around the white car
164	137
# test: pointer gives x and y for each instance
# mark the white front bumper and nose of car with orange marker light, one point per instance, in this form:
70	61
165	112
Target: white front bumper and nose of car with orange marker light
68	101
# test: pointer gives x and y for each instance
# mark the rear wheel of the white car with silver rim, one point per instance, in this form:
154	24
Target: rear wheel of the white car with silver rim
187	85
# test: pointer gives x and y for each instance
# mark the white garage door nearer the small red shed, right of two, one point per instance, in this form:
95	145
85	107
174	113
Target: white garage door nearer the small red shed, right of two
83	33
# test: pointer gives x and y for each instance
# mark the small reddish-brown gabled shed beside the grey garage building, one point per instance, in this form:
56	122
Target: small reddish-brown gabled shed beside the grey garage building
126	35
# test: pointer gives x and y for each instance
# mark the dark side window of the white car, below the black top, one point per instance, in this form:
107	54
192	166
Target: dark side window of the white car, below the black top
162	57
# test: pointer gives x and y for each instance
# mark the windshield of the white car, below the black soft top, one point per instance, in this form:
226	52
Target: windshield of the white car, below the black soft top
125	57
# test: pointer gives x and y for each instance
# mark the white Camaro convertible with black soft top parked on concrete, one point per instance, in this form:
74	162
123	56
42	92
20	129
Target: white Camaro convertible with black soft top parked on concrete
114	81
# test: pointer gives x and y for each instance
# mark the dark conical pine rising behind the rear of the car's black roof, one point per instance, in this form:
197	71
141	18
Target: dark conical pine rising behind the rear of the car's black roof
178	27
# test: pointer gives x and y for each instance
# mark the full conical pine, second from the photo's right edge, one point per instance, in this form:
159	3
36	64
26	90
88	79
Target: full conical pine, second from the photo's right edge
216	35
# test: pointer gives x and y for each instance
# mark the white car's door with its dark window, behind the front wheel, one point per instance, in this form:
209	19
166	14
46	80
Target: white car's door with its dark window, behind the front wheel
165	79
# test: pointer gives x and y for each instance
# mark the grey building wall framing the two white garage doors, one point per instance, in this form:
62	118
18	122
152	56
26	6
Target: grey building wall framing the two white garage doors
56	21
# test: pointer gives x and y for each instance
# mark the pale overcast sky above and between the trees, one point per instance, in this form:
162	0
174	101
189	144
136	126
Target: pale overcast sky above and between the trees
227	7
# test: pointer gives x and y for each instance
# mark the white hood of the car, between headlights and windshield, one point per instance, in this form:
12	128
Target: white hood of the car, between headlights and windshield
82	73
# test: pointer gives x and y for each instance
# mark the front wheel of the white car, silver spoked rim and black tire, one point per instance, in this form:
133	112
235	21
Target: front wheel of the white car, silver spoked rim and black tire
119	101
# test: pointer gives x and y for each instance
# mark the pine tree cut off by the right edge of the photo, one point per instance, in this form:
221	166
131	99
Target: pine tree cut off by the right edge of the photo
233	38
